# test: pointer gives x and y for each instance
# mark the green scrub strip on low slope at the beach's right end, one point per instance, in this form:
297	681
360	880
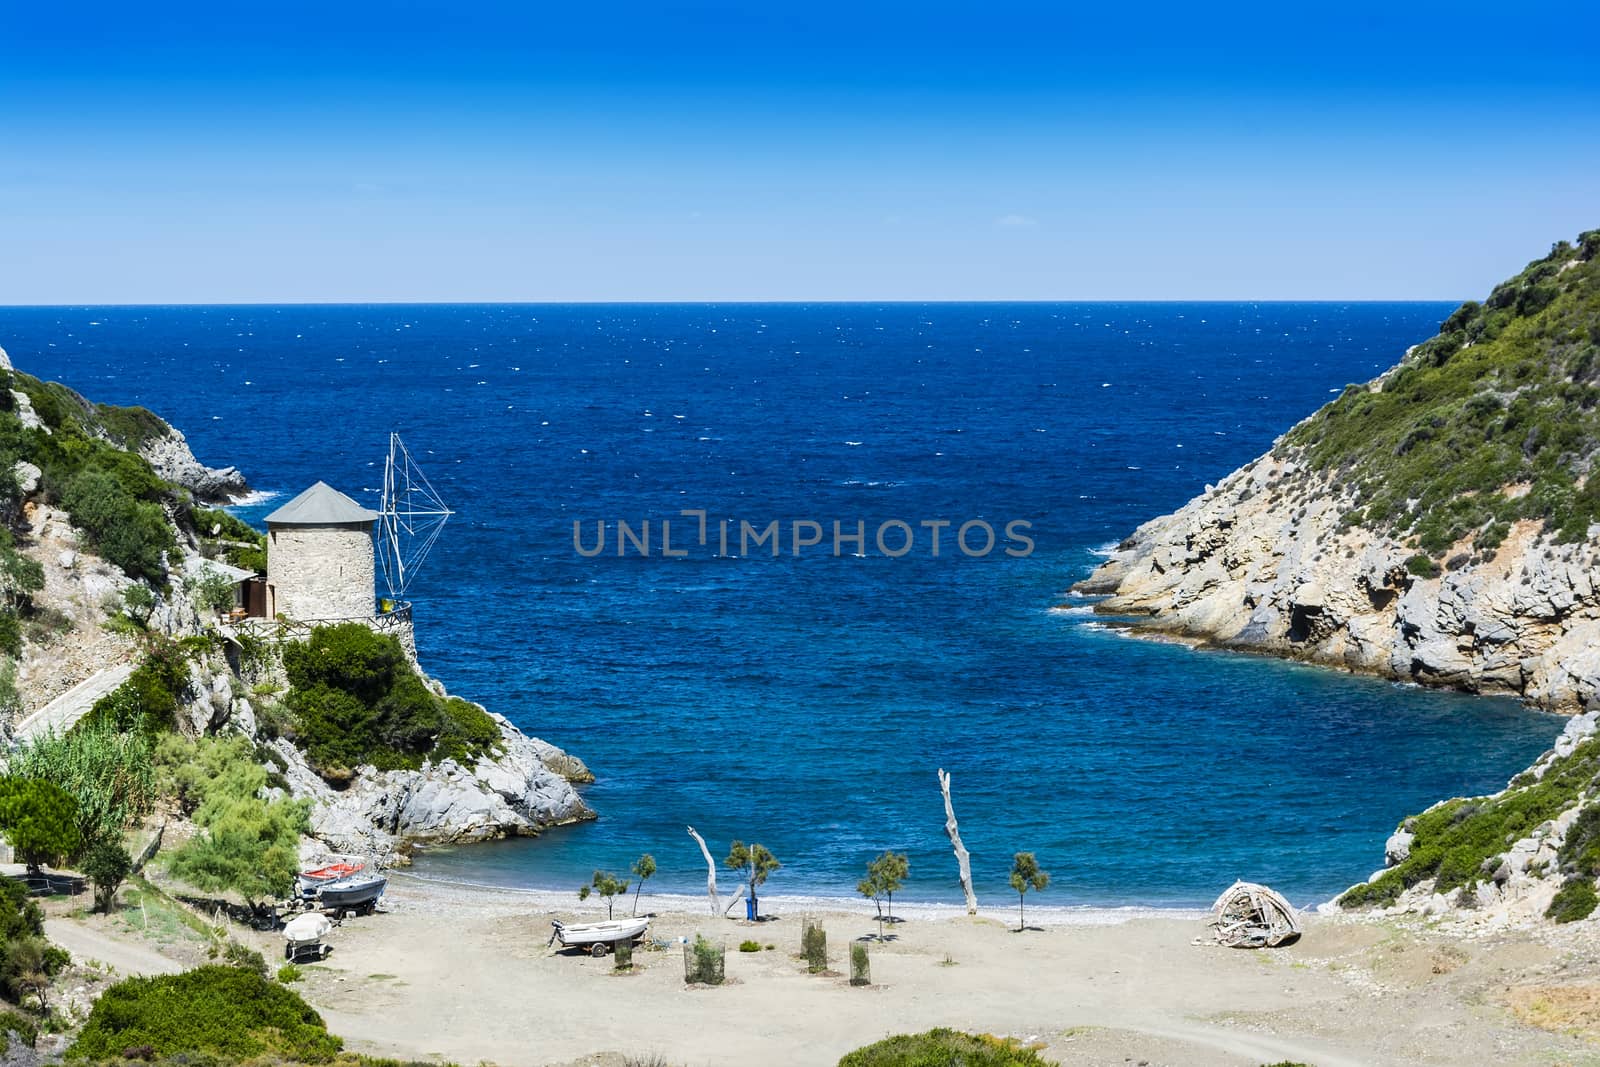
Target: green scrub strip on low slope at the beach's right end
1455	839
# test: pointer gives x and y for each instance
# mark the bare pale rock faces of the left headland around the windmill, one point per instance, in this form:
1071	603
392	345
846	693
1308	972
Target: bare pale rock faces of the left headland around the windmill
521	788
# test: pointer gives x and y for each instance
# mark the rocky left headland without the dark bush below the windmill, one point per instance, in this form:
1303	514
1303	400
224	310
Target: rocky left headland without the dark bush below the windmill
76	626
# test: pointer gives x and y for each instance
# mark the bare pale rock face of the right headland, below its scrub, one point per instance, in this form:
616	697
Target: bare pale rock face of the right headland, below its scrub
1266	562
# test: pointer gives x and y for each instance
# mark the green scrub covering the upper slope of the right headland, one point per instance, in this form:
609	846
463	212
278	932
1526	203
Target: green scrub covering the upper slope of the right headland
1508	394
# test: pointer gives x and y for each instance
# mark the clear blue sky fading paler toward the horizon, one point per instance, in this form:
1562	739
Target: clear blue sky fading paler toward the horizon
418	151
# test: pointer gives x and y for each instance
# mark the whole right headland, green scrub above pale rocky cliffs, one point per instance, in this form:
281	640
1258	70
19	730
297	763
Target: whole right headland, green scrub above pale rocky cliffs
1438	524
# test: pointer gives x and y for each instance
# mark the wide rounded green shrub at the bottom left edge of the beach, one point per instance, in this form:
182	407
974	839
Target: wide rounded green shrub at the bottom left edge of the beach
226	1012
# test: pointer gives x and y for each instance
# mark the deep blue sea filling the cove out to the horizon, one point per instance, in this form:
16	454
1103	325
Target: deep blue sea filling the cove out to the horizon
807	701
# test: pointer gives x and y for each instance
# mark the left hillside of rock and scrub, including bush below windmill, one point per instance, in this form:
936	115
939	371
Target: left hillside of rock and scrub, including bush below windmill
103	538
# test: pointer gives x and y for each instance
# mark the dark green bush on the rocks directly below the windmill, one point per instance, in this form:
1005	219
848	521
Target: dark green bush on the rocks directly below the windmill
356	700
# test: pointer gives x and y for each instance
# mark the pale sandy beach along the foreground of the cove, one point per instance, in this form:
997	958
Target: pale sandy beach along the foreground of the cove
466	975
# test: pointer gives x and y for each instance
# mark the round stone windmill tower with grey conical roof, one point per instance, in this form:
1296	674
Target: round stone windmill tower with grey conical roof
321	561
